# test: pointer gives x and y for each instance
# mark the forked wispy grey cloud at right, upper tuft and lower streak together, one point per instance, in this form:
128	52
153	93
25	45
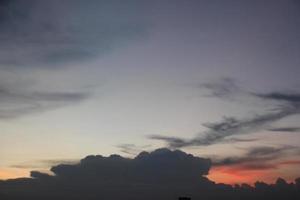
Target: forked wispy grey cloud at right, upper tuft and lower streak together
288	104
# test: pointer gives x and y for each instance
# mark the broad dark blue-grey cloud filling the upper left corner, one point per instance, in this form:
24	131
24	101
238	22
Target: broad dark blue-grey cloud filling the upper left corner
51	32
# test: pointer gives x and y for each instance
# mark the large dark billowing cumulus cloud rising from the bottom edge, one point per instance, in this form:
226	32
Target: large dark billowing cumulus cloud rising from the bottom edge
161	173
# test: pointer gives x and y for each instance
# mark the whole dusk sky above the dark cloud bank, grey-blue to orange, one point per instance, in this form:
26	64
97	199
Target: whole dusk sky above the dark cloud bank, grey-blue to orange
217	79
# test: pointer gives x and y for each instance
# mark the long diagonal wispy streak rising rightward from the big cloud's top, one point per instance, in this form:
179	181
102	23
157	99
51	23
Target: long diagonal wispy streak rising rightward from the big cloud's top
229	126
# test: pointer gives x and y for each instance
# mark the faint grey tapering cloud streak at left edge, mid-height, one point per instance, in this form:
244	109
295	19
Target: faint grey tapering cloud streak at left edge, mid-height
15	102
